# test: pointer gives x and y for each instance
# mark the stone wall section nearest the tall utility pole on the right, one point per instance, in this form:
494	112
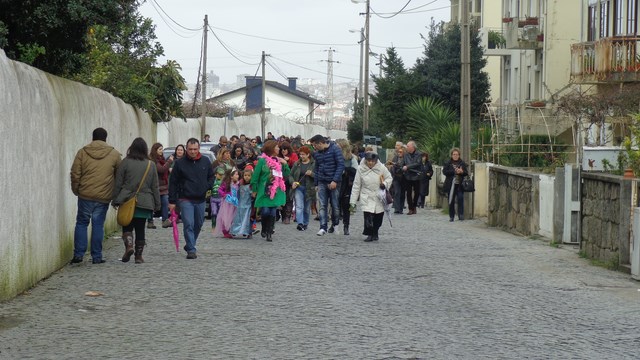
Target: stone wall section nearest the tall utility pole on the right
514	200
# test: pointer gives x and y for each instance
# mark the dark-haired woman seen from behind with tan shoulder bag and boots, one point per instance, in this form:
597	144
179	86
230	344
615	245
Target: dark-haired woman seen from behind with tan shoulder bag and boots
137	173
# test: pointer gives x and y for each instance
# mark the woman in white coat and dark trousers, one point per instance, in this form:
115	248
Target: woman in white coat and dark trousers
371	176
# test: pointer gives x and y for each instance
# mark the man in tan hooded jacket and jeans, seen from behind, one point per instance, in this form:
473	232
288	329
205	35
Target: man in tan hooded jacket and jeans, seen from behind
92	180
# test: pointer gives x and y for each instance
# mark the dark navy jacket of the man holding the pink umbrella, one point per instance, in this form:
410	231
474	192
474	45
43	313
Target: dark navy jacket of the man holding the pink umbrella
190	179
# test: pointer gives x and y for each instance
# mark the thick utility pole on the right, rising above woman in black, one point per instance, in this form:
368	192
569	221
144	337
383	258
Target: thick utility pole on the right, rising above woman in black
465	85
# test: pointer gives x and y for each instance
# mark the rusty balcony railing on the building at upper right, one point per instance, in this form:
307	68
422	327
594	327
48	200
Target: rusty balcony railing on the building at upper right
606	60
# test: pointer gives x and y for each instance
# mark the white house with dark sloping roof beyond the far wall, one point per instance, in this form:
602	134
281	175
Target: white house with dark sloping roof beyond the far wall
280	99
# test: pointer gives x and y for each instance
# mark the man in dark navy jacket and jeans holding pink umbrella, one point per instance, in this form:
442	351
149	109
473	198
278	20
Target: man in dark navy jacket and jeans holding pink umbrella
191	178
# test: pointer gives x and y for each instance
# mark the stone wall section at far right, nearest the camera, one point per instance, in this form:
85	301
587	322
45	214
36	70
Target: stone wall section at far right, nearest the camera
606	217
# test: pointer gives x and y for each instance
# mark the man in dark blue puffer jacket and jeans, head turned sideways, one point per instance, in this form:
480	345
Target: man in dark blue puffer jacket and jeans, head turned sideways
327	177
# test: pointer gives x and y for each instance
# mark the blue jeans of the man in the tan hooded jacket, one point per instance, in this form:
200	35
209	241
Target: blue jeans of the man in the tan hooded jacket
94	212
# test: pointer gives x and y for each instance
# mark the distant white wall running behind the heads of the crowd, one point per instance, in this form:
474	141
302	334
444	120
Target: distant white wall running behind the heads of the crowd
178	131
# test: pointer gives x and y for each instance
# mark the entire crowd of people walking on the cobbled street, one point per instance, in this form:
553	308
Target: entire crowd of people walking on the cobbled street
250	182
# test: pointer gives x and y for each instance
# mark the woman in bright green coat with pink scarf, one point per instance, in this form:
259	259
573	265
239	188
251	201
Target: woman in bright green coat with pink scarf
268	187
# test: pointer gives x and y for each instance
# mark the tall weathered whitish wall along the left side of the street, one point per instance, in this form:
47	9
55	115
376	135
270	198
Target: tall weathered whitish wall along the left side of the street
45	120
